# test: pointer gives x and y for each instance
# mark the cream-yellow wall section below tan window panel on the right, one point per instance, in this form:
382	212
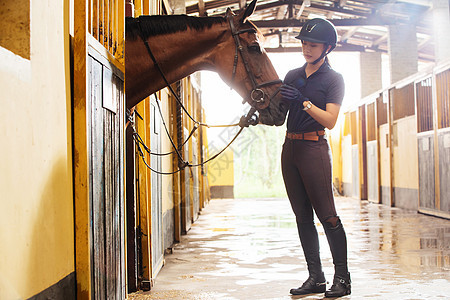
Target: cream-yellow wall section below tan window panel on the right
405	154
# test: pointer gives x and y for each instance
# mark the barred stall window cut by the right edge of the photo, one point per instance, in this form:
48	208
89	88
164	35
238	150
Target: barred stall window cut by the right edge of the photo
443	98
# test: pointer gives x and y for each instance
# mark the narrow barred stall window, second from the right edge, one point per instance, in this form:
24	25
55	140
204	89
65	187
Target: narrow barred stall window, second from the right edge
424	105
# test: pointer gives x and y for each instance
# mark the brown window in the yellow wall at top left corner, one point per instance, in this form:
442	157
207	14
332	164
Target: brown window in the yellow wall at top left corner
15	24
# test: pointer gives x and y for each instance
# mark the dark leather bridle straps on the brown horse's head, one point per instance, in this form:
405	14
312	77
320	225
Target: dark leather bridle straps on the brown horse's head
257	94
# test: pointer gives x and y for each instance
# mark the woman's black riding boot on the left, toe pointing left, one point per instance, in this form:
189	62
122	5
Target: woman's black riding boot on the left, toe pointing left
316	282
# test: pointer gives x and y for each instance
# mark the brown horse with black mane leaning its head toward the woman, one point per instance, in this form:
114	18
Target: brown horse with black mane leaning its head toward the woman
182	45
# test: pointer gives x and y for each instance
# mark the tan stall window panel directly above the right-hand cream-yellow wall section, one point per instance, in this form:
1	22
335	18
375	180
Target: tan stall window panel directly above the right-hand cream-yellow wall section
403	101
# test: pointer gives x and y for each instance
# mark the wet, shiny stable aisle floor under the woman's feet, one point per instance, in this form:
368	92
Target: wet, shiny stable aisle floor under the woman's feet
249	249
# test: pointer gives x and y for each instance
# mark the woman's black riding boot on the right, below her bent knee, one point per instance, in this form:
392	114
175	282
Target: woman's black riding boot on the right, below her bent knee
338	246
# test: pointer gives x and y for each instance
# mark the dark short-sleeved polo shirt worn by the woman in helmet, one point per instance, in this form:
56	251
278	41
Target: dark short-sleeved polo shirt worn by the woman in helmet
322	87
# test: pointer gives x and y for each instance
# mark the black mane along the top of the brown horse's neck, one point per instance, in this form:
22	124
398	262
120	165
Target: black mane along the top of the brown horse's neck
163	24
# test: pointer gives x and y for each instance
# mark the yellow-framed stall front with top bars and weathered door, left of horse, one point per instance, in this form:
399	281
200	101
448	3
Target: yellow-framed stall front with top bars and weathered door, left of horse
98	128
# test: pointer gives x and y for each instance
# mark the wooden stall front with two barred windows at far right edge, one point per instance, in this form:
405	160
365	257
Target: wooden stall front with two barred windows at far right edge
433	137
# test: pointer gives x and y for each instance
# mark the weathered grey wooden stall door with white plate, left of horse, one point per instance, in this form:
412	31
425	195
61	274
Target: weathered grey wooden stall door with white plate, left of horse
106	181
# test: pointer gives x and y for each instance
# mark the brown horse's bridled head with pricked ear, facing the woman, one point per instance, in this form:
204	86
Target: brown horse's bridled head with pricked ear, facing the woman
253	75
